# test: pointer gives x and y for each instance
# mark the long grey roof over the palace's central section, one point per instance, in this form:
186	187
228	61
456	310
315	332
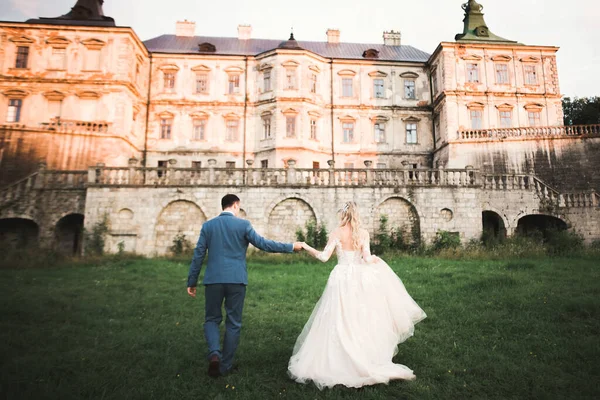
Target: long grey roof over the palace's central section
251	47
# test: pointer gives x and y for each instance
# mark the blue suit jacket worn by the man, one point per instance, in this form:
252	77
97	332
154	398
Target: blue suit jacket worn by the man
226	239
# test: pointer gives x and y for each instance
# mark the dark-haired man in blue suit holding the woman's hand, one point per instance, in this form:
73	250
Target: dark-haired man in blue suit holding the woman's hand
226	239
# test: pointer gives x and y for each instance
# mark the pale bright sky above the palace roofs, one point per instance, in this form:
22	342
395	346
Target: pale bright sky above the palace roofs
571	25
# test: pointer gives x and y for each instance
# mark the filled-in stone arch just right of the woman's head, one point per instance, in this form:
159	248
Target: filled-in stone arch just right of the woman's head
401	214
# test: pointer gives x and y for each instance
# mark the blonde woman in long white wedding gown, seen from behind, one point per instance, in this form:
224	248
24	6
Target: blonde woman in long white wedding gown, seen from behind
363	314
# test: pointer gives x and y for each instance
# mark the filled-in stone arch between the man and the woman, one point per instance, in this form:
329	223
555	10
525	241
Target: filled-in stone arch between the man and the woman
287	216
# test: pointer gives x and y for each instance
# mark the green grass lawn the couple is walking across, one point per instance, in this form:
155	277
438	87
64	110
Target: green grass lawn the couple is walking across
126	329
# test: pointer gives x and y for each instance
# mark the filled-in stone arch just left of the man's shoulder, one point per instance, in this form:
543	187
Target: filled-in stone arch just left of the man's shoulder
178	217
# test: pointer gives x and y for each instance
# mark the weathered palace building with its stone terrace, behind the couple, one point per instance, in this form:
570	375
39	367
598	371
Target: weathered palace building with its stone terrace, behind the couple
151	133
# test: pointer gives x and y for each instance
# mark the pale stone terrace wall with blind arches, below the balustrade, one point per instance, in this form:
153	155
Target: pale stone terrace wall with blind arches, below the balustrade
155	215
